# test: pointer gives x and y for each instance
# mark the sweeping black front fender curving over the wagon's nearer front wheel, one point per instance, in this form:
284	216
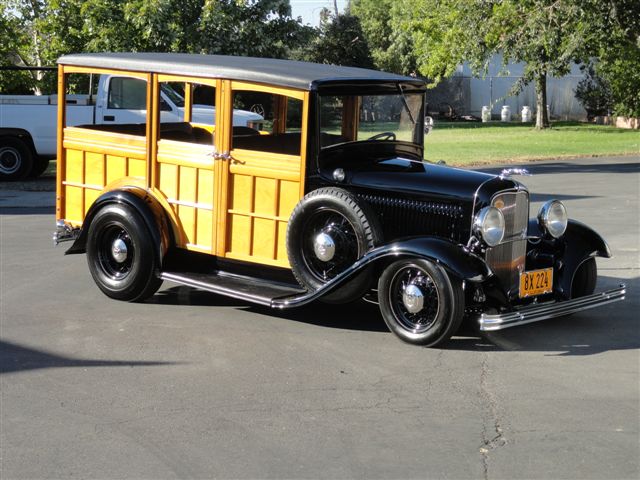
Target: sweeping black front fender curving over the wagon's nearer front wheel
452	257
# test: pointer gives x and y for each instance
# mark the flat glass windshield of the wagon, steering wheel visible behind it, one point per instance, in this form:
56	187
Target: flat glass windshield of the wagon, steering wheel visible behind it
394	117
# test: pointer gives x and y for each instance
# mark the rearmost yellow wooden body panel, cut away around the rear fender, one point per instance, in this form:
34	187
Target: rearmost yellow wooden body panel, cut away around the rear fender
93	160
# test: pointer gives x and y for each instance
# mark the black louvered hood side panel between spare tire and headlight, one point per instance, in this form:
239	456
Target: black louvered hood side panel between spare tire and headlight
405	217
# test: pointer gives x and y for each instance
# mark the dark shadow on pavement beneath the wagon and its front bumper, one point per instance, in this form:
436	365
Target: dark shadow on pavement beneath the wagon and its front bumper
611	327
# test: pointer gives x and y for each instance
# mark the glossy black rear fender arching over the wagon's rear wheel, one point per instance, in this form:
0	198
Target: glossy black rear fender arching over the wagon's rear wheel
153	214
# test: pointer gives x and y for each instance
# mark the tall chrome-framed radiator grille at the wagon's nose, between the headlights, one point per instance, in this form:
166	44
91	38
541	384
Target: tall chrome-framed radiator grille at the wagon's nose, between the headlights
507	260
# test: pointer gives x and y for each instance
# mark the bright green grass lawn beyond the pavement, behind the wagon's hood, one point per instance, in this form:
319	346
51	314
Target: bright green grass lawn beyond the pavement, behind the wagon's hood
478	143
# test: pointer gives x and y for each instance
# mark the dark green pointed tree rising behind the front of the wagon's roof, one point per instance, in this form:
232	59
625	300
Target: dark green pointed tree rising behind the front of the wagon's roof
340	41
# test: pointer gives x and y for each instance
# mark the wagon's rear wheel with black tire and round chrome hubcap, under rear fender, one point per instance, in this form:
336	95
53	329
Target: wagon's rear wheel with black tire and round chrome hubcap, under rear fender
127	273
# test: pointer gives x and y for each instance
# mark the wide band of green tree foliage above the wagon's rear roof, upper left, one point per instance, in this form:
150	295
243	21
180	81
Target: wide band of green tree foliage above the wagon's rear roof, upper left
37	32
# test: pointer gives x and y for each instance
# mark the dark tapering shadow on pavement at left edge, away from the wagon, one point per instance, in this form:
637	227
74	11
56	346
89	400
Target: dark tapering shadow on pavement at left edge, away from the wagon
17	358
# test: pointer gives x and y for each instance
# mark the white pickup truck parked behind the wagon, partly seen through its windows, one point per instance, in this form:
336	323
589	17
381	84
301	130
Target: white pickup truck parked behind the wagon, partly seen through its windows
28	123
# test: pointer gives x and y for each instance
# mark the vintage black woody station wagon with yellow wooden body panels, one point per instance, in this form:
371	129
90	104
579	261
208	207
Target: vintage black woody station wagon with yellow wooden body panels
327	197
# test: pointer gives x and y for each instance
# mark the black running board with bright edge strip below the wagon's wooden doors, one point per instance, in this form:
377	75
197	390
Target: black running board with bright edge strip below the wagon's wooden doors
255	290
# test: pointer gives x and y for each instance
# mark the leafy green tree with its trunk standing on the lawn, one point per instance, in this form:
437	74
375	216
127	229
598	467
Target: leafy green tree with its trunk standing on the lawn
545	35
